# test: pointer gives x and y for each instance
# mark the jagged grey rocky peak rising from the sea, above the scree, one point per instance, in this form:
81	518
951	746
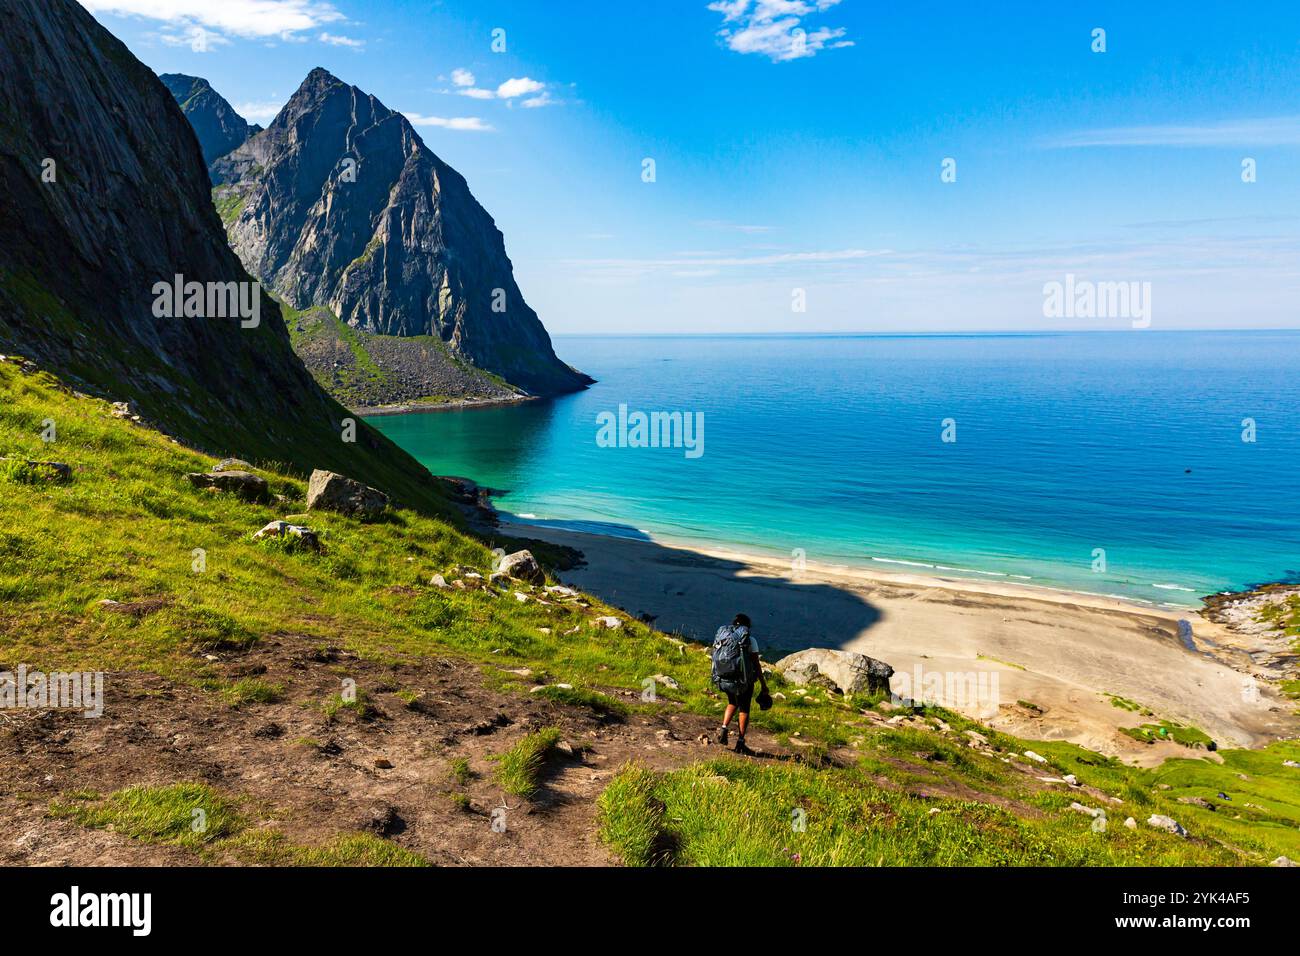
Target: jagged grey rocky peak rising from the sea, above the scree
340	205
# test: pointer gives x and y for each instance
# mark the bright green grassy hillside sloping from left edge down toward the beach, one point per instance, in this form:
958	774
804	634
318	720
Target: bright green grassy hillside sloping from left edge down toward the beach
128	524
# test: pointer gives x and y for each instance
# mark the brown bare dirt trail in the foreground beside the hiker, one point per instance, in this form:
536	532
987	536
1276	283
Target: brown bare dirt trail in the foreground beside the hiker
311	777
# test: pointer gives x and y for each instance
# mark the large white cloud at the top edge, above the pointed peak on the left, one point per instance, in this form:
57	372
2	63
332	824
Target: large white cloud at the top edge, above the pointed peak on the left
224	19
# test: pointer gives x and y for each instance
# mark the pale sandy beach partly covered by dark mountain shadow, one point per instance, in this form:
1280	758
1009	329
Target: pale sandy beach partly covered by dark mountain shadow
1063	652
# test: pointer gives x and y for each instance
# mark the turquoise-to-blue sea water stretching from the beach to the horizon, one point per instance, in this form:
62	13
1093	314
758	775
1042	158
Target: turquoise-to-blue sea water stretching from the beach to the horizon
833	445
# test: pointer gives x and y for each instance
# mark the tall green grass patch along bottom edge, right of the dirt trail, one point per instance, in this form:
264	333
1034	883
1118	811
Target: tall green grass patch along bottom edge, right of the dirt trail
734	814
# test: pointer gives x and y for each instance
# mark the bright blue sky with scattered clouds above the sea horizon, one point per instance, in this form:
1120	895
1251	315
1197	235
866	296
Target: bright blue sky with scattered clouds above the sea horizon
813	163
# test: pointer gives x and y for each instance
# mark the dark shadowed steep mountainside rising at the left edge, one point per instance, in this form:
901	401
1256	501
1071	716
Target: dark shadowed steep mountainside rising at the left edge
106	202
